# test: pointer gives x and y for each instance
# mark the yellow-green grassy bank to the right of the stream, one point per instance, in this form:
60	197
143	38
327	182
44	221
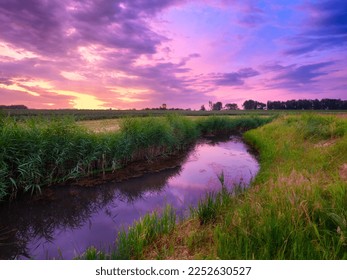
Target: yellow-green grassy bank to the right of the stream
295	209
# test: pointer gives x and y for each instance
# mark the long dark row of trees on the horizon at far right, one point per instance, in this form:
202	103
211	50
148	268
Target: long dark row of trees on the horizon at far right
308	104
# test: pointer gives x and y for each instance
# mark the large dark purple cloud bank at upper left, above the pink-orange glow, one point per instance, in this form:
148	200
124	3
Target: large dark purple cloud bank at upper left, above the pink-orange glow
57	27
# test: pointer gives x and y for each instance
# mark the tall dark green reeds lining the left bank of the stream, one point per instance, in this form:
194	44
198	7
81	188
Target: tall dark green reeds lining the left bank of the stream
40	152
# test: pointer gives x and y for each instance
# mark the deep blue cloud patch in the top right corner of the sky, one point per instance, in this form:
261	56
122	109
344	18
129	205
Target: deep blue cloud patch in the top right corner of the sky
326	28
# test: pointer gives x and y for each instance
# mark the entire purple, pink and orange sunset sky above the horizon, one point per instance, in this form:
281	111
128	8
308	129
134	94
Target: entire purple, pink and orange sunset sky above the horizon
124	54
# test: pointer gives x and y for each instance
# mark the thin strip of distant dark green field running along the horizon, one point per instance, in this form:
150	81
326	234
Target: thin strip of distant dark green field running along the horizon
113	114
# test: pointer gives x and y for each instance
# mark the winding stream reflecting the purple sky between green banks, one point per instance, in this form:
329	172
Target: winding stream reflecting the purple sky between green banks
64	224
